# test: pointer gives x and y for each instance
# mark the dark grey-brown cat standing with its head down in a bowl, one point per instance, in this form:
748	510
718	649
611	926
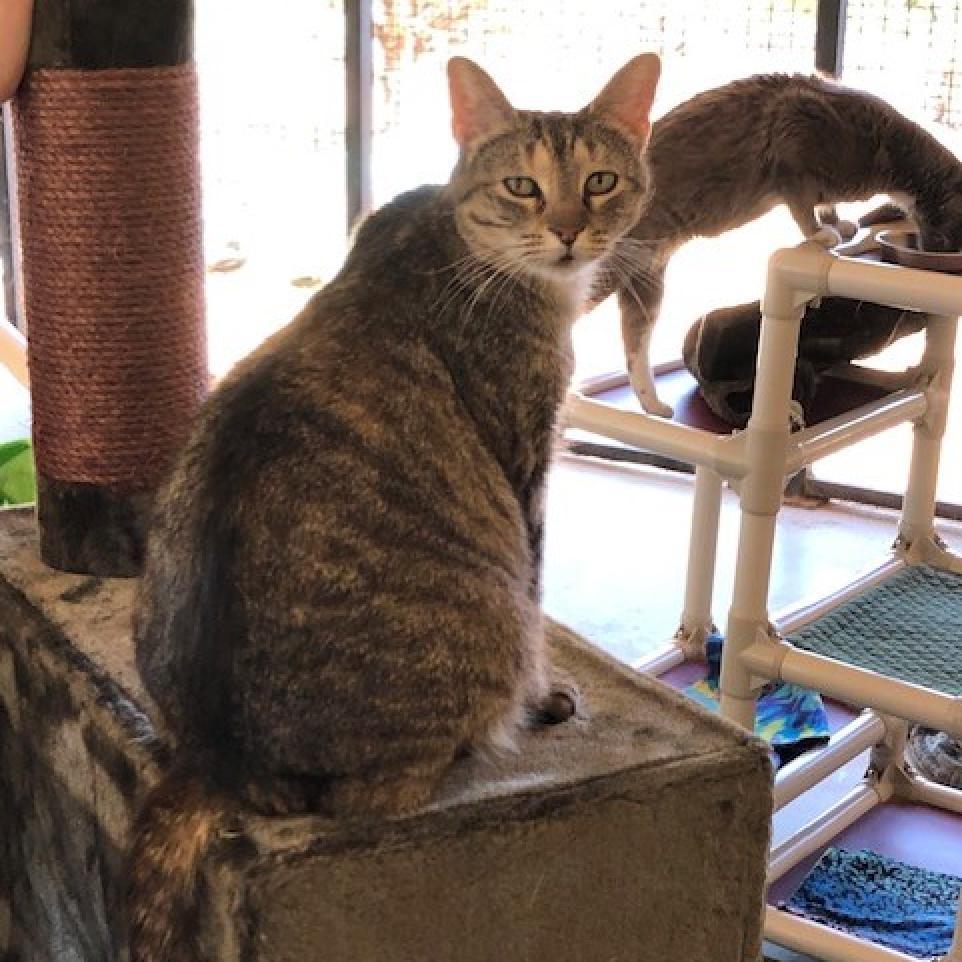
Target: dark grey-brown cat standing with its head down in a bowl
731	154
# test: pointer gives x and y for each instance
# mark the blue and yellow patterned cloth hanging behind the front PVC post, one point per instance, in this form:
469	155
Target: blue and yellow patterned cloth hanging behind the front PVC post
791	719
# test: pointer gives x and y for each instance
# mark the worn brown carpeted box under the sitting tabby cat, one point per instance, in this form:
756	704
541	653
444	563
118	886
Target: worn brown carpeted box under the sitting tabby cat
637	834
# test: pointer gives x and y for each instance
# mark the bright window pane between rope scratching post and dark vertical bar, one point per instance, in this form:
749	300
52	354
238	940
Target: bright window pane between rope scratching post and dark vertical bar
272	153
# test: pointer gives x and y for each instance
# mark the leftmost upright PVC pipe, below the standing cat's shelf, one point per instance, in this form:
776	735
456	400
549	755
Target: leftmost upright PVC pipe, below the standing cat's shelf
702	551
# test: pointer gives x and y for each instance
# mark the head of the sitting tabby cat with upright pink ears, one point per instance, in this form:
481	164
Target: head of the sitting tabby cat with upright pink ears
550	193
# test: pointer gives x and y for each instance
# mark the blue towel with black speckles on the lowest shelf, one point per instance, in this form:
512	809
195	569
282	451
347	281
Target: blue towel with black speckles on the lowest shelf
881	900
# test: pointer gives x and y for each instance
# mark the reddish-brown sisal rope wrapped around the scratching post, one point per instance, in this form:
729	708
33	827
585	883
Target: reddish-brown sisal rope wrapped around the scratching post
110	216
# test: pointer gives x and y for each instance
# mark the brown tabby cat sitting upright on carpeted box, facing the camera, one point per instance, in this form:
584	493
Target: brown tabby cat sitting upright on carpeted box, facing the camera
342	589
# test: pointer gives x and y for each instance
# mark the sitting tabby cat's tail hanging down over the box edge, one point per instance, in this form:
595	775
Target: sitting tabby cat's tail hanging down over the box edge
176	824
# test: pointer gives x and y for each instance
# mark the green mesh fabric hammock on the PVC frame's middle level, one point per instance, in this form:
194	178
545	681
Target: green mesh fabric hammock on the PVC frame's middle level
909	627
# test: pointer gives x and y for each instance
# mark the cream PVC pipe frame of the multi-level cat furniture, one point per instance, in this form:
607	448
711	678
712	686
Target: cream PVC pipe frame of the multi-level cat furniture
759	460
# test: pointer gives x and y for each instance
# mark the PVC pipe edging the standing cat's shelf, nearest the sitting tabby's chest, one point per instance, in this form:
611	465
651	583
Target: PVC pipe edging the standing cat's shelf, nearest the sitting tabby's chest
721	452
